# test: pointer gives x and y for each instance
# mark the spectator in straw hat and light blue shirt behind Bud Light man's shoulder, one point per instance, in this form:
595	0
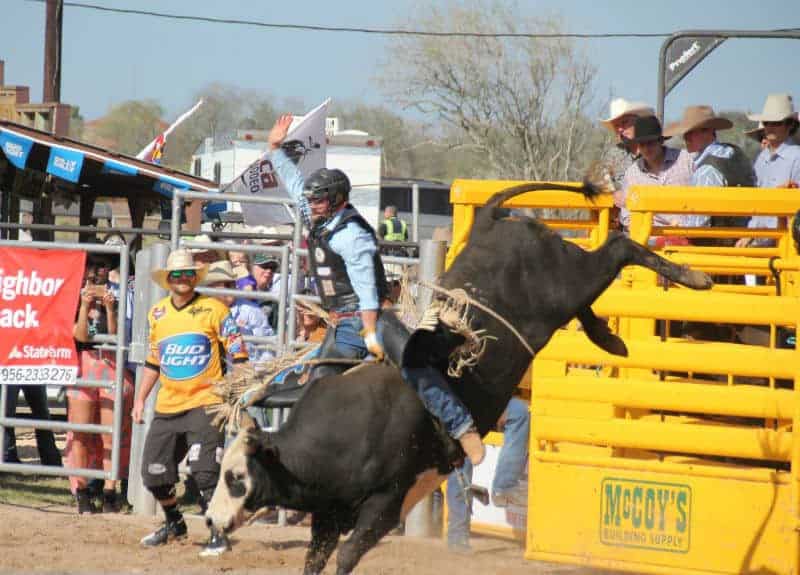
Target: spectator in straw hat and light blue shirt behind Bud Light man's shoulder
245	312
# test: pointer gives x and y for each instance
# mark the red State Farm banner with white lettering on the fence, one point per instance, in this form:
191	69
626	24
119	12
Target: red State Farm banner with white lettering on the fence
39	295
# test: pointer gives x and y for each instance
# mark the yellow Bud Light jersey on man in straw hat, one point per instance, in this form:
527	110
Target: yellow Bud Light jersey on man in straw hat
187	346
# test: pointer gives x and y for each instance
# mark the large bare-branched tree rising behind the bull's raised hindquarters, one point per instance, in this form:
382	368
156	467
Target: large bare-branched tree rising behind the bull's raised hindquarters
521	104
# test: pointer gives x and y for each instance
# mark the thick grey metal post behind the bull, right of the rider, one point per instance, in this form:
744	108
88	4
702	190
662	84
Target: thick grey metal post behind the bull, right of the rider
420	521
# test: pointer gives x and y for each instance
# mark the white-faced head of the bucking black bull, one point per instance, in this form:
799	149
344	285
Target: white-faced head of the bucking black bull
240	488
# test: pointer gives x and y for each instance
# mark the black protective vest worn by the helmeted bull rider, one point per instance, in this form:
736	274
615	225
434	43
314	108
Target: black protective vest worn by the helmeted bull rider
330	272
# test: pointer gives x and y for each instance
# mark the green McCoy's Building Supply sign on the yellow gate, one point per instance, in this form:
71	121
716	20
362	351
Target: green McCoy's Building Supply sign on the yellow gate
645	514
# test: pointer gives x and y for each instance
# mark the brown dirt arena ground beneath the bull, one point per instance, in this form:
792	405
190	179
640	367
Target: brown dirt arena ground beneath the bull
54	539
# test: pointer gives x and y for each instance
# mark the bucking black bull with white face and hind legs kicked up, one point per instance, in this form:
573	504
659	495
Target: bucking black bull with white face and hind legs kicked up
359	449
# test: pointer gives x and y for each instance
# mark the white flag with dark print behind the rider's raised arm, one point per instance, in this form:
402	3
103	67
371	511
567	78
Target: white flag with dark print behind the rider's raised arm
305	142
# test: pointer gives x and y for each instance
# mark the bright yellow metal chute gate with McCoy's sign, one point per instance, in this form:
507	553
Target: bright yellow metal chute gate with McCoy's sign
679	458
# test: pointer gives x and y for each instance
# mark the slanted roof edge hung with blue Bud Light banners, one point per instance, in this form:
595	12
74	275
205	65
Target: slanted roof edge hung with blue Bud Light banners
107	173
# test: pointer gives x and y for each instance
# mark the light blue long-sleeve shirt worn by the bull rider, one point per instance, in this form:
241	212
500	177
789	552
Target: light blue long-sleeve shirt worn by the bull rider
352	243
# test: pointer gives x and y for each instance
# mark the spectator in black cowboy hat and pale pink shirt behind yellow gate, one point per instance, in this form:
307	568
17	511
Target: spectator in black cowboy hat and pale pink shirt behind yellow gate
658	165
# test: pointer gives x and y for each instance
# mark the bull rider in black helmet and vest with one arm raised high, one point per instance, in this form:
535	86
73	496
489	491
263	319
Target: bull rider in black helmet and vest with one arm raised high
351	282
